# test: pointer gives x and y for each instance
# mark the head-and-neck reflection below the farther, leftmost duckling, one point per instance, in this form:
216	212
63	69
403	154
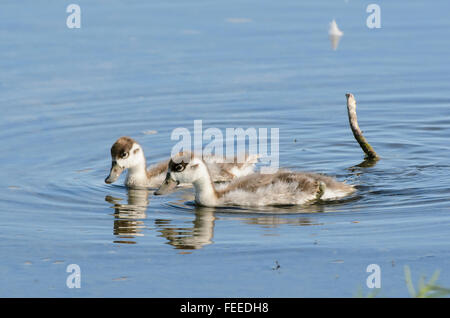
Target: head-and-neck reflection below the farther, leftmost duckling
127	217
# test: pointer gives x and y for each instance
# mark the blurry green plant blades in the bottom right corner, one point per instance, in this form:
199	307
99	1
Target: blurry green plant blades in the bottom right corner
425	290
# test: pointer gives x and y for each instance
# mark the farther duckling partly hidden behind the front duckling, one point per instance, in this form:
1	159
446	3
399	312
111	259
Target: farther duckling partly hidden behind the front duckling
126	153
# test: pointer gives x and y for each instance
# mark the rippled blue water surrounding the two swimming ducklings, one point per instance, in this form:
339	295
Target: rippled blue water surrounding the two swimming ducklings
68	94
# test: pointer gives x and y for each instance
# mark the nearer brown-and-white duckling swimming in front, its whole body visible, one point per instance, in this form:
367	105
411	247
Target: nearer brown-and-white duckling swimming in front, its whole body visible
280	188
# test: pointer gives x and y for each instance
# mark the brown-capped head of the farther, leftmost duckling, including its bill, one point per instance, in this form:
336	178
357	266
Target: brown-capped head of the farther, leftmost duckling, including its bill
126	153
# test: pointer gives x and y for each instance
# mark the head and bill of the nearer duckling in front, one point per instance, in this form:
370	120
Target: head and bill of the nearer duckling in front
183	168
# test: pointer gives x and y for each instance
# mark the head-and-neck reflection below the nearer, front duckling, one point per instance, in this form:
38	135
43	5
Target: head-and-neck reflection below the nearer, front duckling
193	237
